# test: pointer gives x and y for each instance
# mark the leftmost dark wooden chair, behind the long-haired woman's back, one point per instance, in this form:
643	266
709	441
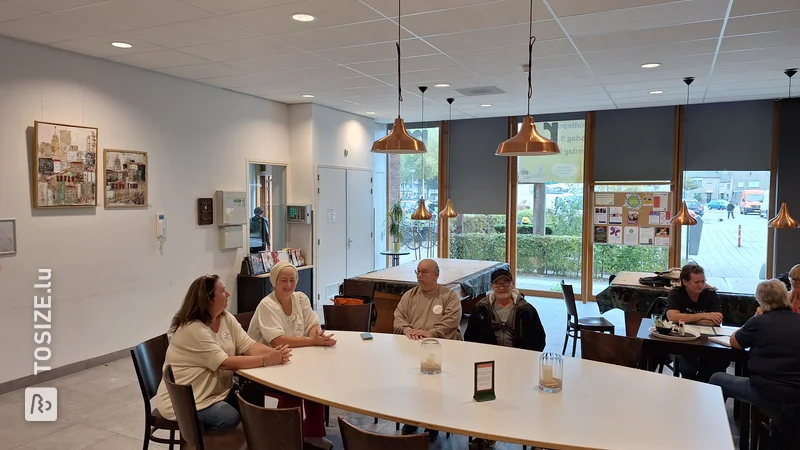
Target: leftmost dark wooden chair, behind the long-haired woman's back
148	361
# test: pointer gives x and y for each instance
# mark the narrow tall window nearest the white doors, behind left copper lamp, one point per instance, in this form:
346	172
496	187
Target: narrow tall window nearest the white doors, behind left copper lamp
412	177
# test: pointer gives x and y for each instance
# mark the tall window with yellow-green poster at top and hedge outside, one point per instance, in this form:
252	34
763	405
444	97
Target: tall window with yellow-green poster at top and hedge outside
550	211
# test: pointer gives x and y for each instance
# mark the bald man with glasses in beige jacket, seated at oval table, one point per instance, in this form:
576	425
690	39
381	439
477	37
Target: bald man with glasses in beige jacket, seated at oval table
430	309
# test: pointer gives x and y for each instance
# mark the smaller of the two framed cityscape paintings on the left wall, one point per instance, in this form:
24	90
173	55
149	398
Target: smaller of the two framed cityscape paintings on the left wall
125	175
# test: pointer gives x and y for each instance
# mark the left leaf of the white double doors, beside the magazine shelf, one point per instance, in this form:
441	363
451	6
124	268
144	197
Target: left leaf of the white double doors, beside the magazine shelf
331	220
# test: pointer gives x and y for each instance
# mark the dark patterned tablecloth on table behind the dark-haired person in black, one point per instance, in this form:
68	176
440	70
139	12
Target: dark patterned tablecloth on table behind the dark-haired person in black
736	308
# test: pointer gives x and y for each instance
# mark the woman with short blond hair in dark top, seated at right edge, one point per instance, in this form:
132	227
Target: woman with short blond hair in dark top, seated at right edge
773	338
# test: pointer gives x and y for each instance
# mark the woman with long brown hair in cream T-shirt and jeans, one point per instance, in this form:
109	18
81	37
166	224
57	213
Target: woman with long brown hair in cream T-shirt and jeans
207	345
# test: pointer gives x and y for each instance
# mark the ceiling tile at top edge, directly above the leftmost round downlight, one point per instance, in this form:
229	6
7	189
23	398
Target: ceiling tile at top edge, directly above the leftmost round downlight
125	15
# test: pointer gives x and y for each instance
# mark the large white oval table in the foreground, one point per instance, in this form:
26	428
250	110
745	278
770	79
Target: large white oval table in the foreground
602	406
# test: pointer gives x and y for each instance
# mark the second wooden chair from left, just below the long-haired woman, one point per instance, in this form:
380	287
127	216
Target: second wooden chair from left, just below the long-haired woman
182	398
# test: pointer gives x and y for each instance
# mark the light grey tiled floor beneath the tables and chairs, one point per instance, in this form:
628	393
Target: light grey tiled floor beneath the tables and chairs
102	409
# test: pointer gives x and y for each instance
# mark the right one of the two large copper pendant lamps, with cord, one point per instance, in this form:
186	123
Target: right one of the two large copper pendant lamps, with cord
528	142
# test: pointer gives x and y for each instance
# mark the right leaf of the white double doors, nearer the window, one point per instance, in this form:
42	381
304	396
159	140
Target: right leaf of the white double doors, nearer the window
360	243
